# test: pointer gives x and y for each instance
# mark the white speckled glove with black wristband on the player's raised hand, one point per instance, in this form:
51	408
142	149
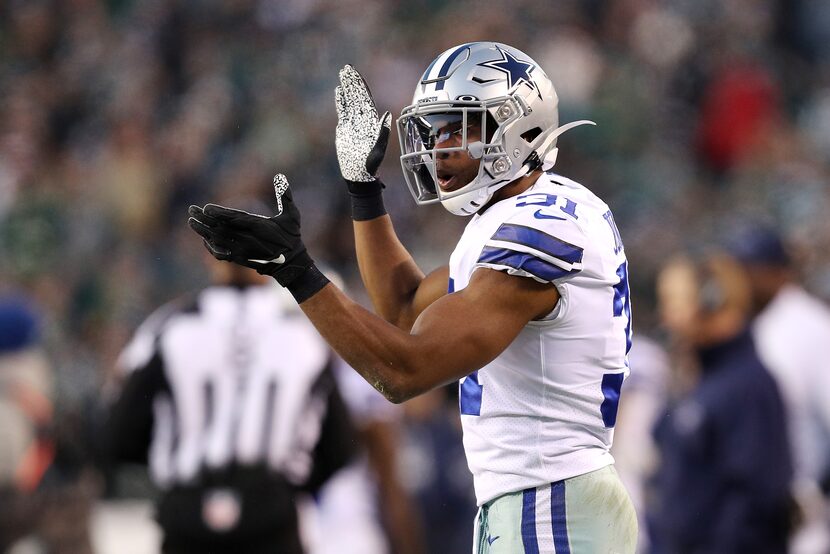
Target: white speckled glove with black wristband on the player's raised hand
361	138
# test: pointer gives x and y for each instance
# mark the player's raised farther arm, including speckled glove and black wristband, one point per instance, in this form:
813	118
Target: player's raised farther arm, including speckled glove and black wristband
395	283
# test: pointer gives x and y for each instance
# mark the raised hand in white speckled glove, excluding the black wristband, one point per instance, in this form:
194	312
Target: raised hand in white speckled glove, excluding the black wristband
361	136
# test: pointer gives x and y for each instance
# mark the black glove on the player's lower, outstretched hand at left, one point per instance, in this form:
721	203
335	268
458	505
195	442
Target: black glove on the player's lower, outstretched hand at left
270	245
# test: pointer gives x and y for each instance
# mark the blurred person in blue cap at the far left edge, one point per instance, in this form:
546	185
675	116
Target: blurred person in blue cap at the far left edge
40	503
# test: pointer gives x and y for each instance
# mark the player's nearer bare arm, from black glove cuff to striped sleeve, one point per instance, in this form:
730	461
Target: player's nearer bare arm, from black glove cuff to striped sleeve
454	336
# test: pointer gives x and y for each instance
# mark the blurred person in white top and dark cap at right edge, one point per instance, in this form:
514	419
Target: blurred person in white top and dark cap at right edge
792	334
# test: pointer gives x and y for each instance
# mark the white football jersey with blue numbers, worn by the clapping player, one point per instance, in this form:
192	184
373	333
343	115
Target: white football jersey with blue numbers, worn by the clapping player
545	408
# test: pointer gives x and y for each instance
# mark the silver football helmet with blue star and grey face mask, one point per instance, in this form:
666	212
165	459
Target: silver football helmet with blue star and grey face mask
505	97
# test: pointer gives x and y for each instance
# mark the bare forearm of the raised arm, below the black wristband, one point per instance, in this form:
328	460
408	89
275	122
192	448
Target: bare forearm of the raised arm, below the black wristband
388	271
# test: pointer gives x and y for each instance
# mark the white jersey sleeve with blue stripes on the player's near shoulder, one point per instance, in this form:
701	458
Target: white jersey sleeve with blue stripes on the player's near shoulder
547	250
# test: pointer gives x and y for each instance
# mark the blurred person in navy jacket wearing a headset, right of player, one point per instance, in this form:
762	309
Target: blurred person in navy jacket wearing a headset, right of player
725	475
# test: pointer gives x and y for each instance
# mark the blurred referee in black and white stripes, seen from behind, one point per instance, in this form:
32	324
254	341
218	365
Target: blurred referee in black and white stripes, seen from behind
230	399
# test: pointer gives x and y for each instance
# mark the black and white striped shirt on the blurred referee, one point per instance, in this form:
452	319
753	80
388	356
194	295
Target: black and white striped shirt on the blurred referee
237	376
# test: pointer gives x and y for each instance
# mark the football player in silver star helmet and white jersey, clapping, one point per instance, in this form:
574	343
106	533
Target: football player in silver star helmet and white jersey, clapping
532	314
